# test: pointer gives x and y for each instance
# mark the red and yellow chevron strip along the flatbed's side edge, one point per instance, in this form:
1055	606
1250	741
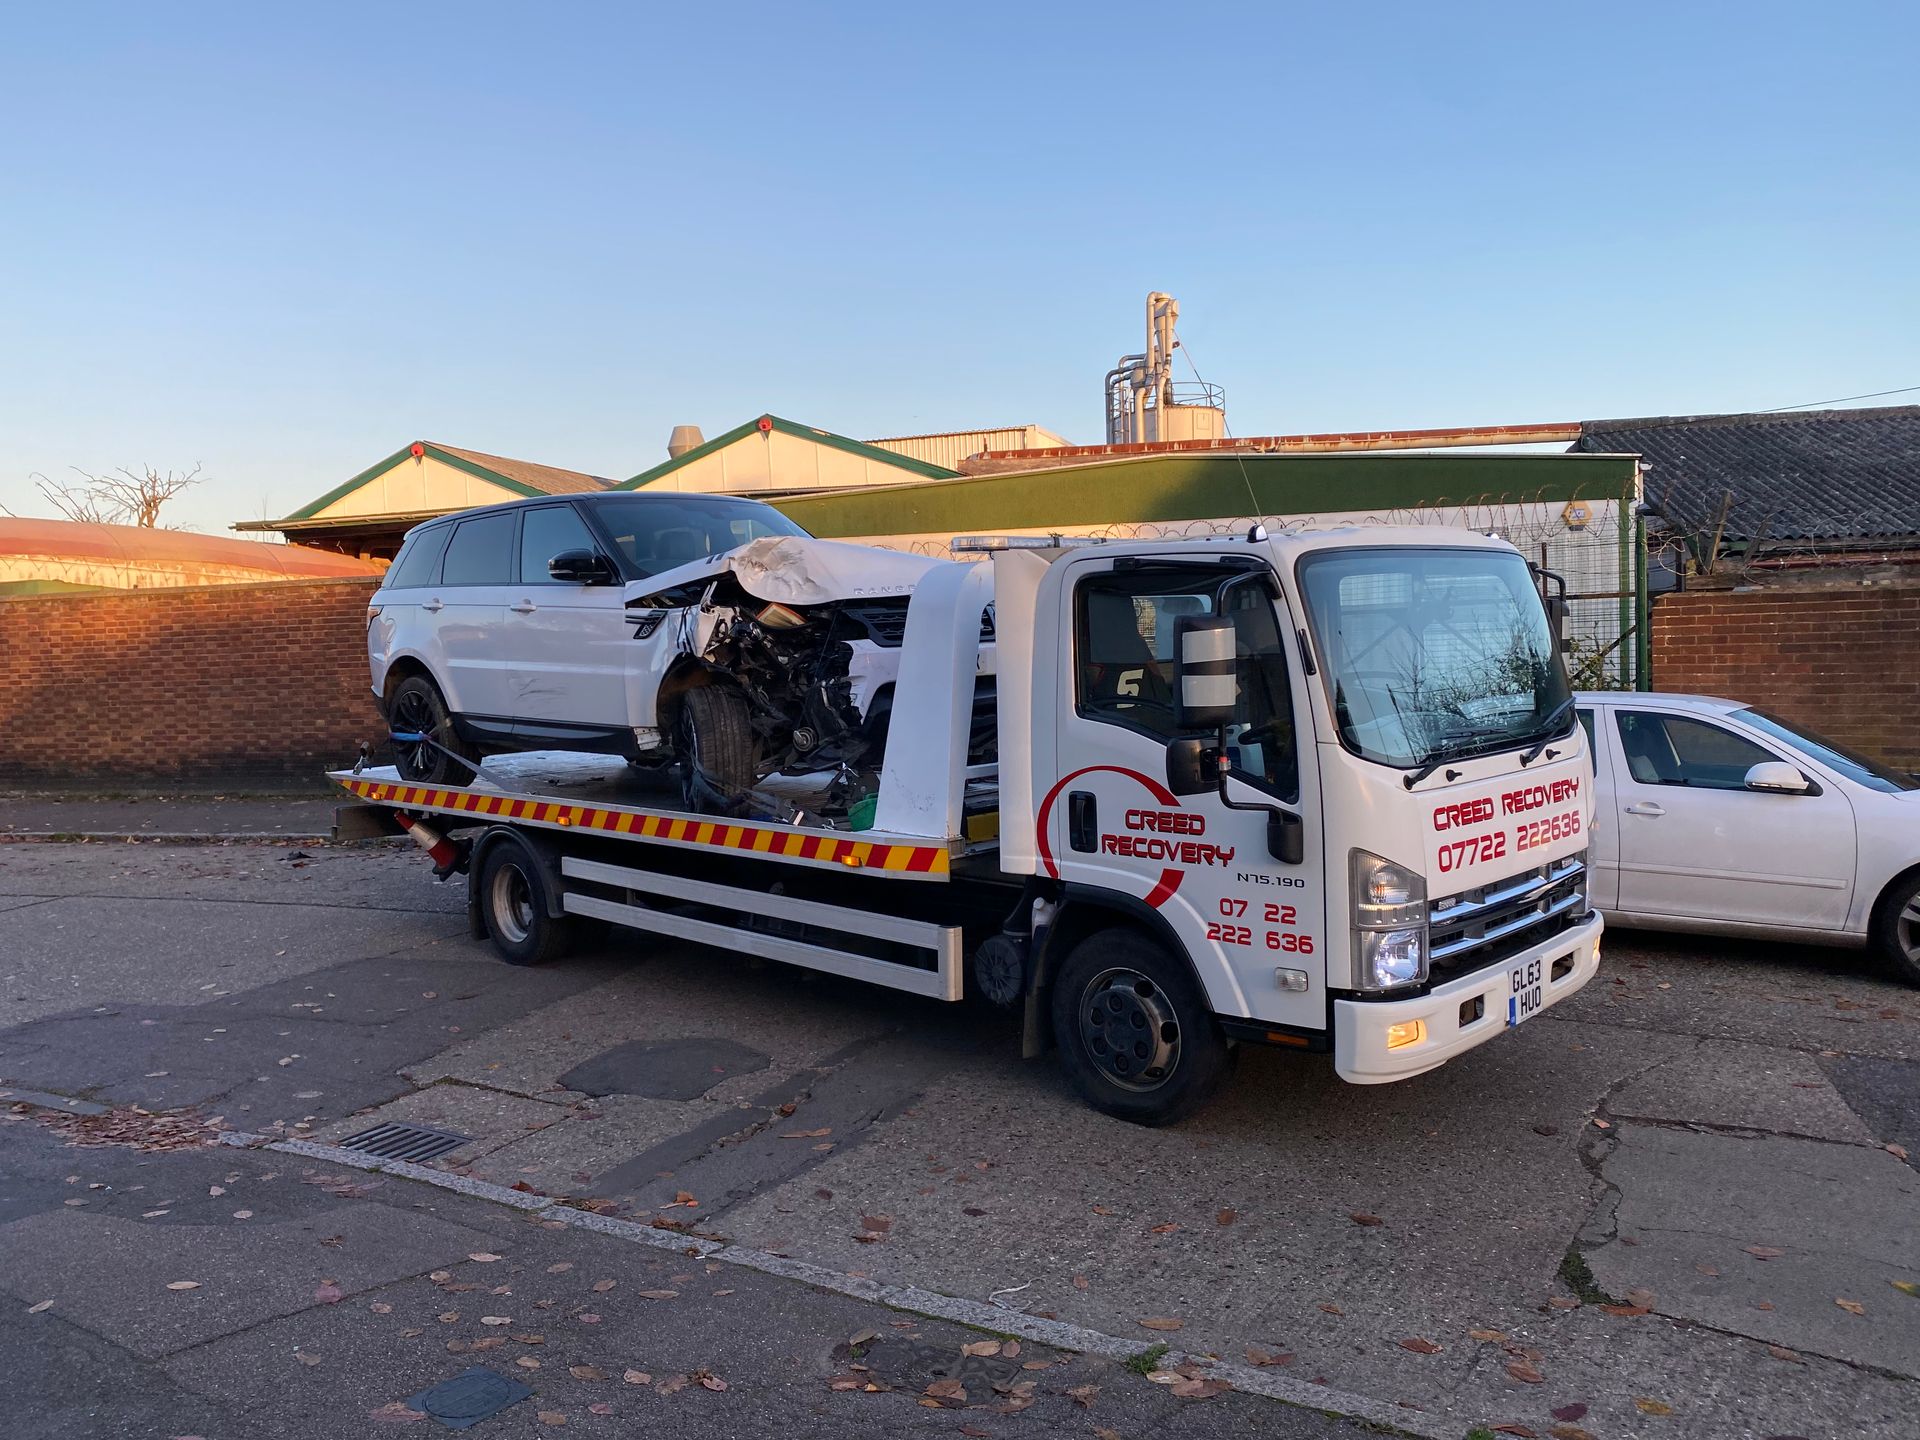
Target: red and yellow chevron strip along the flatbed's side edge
684	830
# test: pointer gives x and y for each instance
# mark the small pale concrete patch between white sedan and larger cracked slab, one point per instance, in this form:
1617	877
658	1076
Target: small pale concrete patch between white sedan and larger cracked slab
1742	1086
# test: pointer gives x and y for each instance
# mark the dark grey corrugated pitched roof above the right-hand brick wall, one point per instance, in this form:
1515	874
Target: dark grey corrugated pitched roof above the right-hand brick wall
1806	475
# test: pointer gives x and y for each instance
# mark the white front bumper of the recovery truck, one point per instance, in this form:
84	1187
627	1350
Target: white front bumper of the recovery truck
1447	1019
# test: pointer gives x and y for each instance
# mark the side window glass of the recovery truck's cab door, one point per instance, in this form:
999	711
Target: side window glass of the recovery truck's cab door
1124	661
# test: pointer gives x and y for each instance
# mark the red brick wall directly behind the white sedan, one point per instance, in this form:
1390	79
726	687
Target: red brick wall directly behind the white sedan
1844	660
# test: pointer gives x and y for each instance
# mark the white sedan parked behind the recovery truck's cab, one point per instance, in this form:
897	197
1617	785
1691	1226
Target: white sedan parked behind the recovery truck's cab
1716	817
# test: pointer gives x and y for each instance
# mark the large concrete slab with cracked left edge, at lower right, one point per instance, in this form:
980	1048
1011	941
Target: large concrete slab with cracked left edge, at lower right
1767	1237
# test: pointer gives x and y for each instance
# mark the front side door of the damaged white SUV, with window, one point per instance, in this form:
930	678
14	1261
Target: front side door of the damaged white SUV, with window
567	642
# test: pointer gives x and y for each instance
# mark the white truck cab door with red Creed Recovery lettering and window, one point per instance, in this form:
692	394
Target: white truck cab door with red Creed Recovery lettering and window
1109	821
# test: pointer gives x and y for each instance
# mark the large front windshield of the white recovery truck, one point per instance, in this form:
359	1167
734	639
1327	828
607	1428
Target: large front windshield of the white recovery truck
1433	656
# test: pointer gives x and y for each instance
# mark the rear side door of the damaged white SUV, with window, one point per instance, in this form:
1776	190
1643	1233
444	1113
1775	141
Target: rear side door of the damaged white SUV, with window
468	613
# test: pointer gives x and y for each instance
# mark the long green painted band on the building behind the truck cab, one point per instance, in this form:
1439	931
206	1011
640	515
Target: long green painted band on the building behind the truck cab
1211	487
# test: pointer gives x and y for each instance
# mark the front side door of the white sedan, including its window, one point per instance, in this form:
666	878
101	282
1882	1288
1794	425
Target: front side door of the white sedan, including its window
1696	842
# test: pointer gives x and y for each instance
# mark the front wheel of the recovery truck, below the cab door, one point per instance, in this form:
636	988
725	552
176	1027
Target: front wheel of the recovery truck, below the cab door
1136	1032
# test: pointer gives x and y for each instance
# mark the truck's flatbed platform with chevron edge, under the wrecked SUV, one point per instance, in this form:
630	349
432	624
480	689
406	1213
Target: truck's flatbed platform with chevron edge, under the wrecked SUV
590	794
